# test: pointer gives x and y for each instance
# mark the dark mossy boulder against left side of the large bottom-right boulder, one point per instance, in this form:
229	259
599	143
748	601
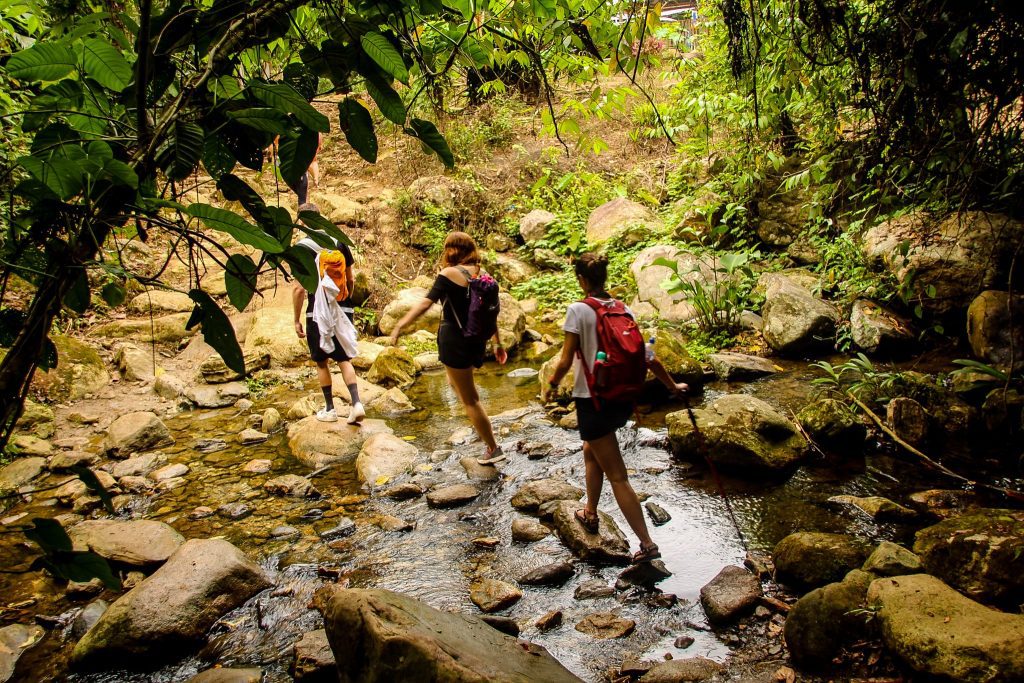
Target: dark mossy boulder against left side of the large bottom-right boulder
826	620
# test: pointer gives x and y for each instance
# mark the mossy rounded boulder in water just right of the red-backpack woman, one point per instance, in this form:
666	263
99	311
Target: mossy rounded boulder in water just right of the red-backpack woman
739	433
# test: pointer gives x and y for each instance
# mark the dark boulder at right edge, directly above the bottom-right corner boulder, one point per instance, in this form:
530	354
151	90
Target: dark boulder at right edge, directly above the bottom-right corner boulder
979	553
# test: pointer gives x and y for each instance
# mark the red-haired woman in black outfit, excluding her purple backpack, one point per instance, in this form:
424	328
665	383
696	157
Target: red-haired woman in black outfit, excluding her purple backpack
460	355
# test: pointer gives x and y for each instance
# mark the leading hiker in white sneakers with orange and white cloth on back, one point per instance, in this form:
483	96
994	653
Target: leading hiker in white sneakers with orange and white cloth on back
325	310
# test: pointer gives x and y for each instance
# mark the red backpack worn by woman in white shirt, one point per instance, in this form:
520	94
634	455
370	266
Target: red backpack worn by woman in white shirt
622	375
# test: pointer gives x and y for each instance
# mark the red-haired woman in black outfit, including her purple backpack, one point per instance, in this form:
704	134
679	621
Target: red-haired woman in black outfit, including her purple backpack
470	320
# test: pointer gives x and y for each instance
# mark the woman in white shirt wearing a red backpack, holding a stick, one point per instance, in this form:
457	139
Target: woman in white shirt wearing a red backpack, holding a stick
599	416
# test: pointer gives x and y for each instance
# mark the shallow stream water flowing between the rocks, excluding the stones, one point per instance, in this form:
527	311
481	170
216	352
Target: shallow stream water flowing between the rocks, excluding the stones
438	561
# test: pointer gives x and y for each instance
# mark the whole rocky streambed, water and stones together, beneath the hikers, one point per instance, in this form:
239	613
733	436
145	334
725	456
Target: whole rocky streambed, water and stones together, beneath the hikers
399	505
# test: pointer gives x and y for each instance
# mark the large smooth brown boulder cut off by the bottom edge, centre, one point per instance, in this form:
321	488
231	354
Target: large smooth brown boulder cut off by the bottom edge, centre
379	636
